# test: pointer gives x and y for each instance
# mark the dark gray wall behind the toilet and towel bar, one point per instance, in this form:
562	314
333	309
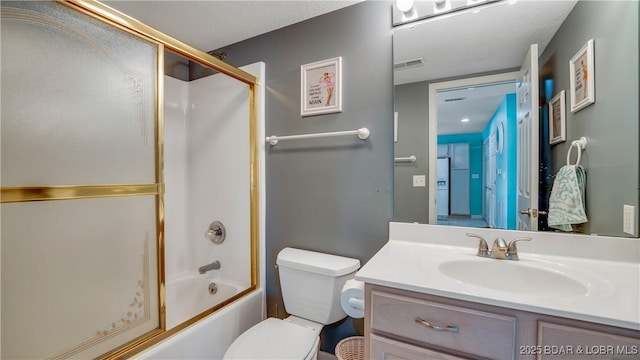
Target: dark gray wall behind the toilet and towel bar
332	195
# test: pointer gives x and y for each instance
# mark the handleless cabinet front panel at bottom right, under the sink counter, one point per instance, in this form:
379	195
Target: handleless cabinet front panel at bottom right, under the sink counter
569	342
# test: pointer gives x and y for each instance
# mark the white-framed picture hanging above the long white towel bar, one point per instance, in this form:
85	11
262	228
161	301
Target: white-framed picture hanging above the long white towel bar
321	84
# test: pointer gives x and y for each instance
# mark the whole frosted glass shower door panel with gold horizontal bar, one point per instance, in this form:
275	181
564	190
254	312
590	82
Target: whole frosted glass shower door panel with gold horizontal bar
80	228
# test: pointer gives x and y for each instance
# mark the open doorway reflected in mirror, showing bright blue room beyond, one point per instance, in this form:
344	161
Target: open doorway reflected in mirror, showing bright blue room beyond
473	126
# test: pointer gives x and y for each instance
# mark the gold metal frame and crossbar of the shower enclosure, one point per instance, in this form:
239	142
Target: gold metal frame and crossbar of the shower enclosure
25	194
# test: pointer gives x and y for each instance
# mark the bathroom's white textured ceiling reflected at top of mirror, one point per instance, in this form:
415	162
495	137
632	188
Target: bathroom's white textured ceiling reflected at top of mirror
492	38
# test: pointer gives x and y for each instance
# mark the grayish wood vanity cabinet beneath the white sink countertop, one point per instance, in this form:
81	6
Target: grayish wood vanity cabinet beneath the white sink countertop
400	324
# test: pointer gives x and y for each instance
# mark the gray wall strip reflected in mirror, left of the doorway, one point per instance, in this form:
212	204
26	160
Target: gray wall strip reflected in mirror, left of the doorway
412	105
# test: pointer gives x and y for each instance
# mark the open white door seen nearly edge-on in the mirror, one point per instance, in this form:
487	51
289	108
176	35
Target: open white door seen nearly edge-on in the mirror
527	113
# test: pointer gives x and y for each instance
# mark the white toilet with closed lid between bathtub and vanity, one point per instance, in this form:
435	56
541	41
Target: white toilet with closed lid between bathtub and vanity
311	284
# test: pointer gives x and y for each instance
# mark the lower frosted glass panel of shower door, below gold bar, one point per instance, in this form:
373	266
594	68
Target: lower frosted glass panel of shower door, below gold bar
78	276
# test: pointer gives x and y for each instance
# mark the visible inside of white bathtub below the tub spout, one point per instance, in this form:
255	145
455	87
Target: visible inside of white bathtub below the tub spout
189	295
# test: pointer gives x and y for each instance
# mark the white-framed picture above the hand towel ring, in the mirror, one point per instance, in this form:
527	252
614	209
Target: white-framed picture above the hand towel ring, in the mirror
582	74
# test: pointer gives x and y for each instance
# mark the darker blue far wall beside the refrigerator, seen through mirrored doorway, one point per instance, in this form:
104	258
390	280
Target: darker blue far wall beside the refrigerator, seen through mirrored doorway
475	166
